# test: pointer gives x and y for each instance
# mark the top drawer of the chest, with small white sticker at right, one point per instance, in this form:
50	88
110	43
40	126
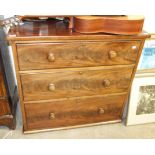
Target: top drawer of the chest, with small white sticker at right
62	55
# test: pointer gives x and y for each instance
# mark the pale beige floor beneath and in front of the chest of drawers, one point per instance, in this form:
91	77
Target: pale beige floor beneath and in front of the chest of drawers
112	131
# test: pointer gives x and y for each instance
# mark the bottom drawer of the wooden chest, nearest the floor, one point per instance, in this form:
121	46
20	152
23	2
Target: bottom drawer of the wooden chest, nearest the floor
71	112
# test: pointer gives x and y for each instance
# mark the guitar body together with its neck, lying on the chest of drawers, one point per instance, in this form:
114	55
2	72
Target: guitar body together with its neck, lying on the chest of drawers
115	24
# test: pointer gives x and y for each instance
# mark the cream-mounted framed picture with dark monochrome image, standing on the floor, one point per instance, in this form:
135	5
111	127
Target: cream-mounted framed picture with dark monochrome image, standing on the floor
141	107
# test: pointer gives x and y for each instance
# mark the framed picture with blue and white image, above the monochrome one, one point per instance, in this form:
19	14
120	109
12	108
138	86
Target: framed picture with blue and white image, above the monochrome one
147	59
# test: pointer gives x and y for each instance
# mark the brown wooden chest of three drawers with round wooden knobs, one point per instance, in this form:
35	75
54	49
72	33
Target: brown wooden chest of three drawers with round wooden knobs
66	79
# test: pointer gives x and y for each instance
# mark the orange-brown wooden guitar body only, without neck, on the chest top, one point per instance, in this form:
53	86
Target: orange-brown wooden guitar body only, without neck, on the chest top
127	25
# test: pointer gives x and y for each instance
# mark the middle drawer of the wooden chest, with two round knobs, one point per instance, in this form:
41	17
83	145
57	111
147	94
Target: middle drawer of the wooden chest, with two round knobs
65	83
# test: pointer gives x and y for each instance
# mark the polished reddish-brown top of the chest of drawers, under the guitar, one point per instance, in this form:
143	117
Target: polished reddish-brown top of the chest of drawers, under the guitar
57	30
